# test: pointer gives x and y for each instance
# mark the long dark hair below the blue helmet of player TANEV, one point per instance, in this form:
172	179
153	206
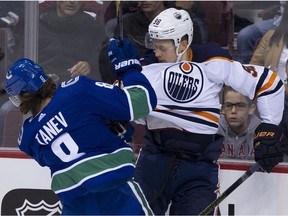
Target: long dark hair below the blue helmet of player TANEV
30	102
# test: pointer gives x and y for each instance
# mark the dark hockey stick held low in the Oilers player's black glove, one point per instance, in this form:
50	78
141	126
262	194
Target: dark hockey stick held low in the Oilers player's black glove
229	190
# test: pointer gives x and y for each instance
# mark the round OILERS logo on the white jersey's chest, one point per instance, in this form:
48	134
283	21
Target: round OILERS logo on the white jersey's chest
179	85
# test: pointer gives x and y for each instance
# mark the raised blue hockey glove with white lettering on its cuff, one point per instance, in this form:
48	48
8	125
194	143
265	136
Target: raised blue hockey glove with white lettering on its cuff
123	57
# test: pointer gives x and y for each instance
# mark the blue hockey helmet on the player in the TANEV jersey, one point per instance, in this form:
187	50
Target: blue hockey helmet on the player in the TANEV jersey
25	75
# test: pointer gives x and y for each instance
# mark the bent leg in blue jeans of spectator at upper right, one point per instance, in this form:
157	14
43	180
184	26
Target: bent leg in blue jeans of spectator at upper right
248	36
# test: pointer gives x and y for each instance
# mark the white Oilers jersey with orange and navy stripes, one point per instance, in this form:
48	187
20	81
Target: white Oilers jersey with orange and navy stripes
188	93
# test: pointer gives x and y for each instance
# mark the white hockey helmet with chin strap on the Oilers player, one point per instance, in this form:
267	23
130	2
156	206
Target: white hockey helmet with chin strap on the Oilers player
172	24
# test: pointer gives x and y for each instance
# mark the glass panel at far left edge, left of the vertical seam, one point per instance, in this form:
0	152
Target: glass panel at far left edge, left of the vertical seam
12	24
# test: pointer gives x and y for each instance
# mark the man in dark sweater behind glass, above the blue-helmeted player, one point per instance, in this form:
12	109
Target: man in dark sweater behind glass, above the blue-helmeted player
69	40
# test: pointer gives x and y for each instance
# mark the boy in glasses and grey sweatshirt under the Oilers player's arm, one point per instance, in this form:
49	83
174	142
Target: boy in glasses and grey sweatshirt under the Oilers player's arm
237	124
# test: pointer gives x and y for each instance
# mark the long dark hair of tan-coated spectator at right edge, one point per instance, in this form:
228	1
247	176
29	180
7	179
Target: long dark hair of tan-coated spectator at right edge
281	31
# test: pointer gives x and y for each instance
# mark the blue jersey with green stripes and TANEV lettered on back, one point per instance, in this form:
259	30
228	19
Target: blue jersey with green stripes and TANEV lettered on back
70	135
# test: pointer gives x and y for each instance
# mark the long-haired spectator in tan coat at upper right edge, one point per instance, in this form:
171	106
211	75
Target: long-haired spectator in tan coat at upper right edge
272	51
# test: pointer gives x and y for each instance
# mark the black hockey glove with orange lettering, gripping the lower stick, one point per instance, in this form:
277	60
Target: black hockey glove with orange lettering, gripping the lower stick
268	146
